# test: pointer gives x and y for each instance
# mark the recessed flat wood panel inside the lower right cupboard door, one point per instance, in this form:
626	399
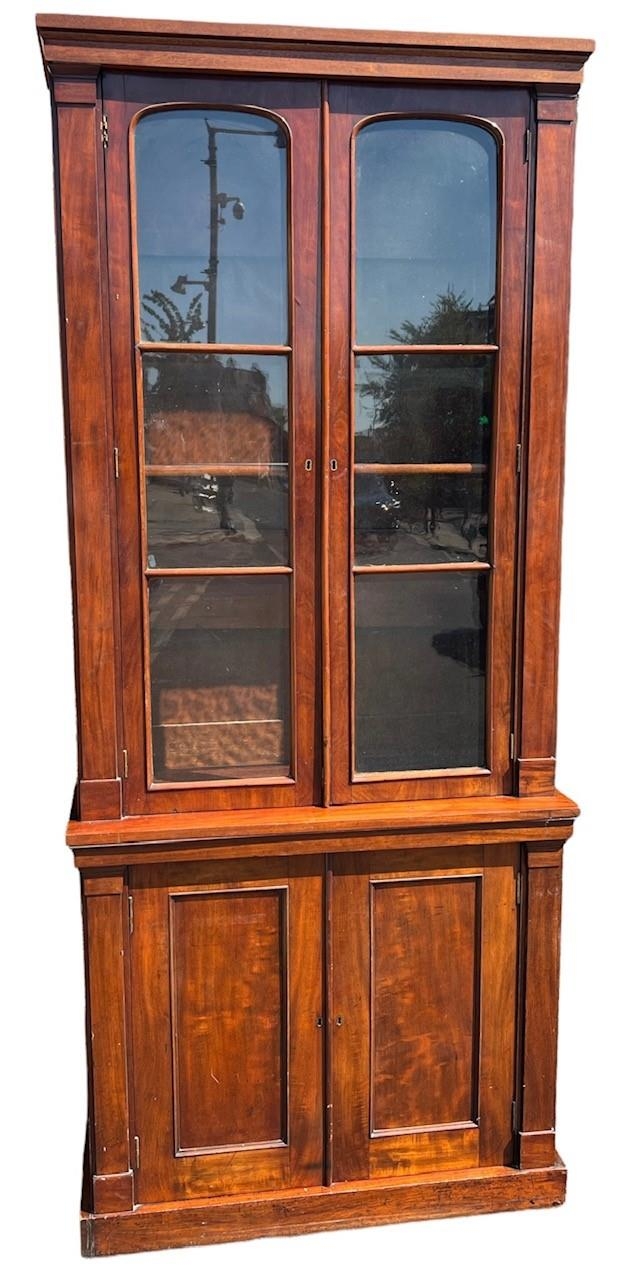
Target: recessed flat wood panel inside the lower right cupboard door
424	1002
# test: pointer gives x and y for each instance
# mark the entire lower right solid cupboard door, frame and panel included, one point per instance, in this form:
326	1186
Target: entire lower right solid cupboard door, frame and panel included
424	1012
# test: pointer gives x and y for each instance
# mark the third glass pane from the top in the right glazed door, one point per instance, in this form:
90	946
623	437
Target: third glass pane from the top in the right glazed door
420	519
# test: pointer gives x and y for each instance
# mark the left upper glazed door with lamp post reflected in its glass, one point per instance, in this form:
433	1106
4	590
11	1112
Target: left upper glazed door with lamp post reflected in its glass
213	196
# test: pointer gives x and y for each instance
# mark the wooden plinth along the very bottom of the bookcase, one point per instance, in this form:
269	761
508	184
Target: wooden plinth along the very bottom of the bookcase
322	1209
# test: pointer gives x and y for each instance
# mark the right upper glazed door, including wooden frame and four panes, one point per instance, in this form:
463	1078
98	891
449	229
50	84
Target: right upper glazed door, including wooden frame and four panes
427	250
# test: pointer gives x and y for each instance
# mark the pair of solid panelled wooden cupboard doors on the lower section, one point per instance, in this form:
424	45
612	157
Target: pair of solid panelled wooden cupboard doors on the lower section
298	1023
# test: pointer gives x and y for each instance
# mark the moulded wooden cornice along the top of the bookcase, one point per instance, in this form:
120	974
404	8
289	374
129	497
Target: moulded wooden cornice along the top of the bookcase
86	45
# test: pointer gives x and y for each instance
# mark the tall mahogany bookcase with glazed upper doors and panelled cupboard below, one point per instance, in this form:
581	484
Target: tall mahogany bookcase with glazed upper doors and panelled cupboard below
314	301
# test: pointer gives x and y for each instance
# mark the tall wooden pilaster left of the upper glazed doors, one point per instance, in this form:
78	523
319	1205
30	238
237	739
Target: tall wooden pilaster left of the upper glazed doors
90	460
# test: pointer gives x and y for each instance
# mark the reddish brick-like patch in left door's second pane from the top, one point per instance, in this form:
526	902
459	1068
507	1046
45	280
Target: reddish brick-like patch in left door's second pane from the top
199	438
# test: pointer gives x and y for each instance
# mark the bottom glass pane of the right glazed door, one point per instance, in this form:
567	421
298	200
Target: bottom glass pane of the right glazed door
420	671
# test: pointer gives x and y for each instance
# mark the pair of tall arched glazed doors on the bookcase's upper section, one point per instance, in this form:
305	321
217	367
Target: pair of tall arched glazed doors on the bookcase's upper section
318	299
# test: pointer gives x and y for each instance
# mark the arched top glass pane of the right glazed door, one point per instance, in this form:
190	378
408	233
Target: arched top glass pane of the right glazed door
427	232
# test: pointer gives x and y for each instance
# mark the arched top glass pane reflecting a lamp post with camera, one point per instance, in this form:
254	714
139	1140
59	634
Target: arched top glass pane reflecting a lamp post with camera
212	227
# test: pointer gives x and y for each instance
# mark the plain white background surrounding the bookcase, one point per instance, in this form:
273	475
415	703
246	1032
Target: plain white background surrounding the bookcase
44	1096
